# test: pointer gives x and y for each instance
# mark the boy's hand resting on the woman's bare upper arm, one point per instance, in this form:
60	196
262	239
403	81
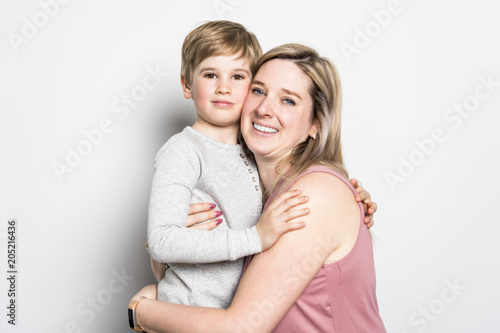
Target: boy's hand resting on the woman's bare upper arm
273	222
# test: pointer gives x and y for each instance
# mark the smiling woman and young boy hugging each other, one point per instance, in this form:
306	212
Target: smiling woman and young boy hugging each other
288	248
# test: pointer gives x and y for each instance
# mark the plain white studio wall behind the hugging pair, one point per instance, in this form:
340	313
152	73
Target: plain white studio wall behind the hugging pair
91	88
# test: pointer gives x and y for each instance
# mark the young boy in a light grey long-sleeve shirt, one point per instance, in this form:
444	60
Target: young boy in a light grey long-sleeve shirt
205	163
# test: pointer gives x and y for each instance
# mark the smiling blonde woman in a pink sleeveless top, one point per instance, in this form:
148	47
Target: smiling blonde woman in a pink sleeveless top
317	279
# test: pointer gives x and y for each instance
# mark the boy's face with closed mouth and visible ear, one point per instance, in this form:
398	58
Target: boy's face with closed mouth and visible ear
219	87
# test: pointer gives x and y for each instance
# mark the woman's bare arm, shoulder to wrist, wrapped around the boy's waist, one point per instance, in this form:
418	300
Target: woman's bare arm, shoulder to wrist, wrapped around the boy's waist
275	278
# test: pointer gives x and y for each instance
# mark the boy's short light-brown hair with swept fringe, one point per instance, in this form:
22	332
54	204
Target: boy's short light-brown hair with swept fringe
216	38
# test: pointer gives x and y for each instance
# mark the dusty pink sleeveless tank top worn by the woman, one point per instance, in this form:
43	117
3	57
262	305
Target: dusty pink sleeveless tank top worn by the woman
341	297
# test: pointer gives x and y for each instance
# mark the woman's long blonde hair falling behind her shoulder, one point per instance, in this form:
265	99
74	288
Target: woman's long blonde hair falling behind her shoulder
326	93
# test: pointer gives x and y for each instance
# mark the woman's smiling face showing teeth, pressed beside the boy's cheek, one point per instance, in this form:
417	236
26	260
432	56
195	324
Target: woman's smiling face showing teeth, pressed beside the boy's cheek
277	114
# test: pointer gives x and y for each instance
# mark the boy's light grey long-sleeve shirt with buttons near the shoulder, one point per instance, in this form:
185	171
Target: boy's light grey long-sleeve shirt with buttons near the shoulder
205	266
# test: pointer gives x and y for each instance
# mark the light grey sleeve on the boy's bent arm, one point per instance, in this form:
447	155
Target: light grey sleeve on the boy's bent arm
177	170
